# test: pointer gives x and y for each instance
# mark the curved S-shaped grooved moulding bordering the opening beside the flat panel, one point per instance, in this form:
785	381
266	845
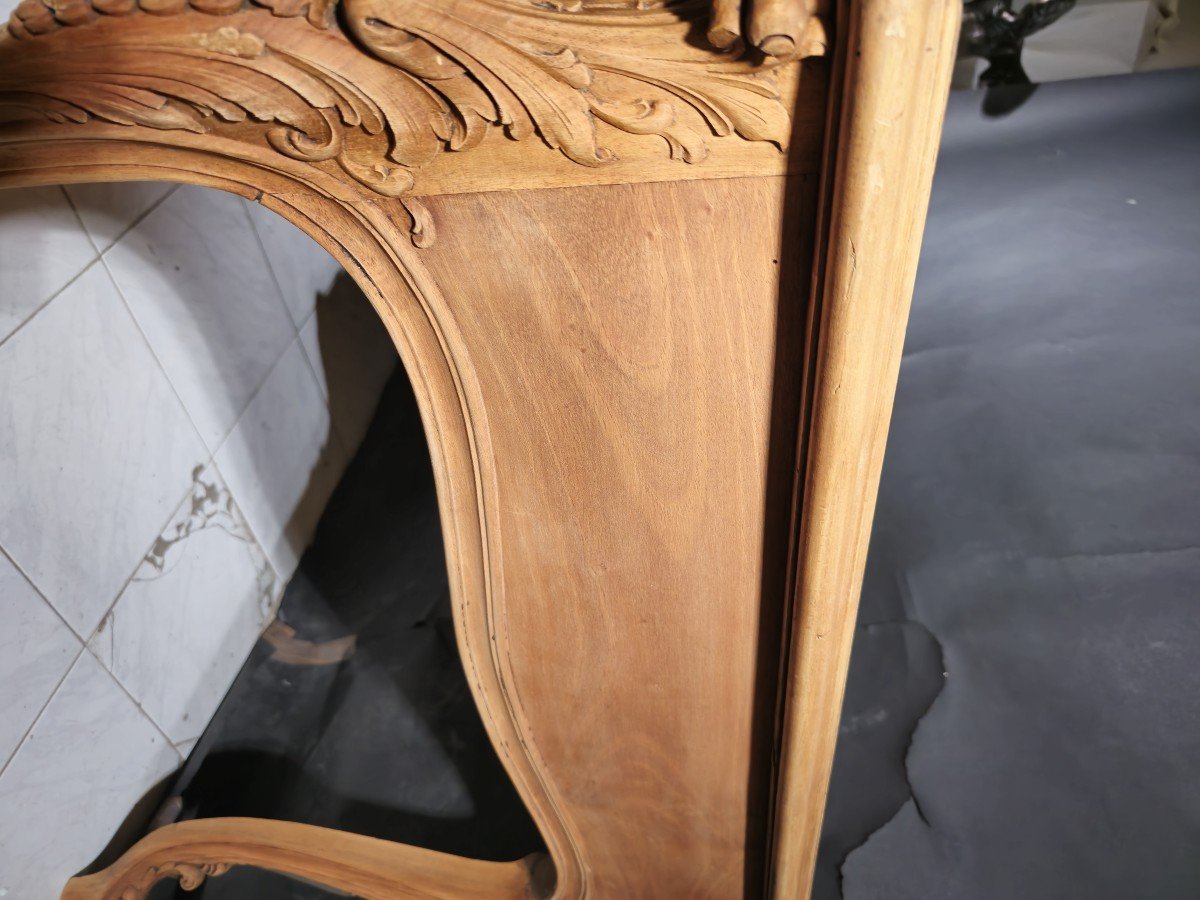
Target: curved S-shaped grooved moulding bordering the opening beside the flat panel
369	239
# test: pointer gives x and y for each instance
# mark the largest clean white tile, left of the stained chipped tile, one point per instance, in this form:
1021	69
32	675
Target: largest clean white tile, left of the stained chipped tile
95	449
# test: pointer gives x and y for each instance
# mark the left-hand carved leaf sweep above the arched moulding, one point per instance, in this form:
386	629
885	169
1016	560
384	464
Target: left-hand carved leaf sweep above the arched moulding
278	82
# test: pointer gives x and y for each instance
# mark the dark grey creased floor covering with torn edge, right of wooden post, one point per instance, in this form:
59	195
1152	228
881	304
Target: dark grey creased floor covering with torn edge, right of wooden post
1023	717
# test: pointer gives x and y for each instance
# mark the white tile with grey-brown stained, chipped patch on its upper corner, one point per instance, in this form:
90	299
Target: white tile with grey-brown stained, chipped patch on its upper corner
184	626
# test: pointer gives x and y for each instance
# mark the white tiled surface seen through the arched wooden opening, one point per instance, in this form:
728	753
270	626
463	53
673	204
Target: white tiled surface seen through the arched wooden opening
167	445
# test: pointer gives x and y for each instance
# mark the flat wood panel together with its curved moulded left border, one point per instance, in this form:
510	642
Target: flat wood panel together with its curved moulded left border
629	602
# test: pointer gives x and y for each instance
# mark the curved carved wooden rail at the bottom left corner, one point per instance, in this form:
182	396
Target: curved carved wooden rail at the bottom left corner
351	863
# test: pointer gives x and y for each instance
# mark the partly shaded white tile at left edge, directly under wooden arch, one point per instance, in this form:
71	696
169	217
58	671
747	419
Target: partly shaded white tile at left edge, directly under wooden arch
43	247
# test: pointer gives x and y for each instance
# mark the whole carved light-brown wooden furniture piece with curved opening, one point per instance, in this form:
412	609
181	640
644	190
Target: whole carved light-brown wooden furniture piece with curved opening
655	351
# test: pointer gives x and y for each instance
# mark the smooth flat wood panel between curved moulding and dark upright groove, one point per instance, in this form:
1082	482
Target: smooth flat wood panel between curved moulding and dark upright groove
625	341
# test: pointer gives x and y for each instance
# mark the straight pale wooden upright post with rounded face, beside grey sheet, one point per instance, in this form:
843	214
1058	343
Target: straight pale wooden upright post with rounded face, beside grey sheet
891	85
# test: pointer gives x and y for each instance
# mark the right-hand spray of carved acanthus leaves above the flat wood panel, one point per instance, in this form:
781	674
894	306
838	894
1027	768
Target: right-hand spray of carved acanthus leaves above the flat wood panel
557	74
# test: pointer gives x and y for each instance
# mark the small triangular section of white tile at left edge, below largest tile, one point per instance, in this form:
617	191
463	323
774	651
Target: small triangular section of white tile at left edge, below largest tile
37	651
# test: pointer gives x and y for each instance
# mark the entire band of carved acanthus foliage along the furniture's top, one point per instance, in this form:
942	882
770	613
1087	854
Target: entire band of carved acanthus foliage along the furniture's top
380	89
